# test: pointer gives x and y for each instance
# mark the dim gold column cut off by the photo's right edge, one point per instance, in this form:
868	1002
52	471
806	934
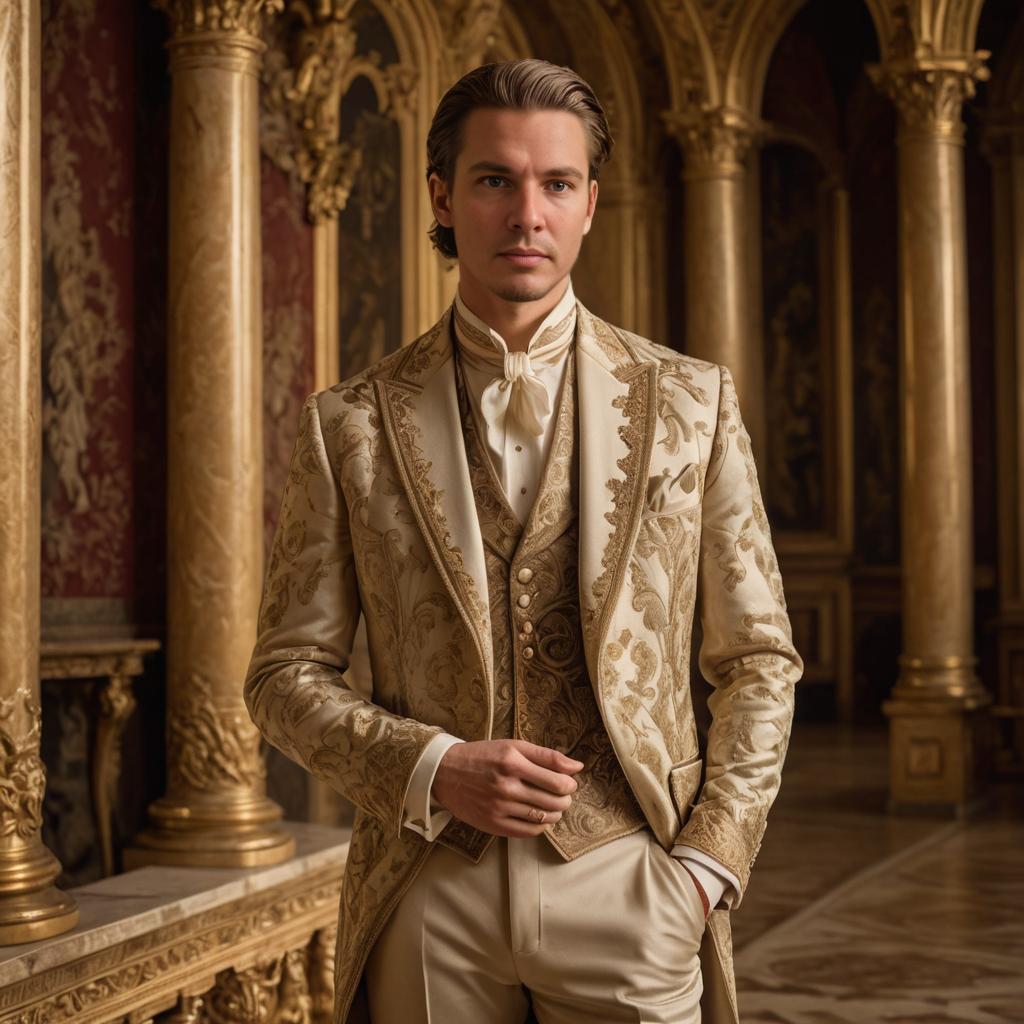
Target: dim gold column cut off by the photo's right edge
1005	148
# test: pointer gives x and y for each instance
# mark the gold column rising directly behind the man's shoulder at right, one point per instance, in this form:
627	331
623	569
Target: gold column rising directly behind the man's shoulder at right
720	308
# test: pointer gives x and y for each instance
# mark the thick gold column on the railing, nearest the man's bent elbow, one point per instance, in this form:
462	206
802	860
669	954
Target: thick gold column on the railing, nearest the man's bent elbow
216	812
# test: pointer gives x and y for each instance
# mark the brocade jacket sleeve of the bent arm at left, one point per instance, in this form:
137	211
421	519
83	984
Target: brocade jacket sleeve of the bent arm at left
295	689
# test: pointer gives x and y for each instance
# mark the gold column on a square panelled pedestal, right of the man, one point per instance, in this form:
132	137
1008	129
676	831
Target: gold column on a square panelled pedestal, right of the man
934	710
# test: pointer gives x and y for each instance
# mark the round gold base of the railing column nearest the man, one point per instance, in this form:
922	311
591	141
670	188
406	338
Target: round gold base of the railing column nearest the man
249	835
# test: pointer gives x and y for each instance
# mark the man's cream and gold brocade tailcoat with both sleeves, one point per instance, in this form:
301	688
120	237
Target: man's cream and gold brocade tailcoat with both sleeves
379	519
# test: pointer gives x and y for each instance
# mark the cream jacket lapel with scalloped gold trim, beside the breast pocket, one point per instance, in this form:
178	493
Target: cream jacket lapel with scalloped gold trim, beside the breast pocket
618	418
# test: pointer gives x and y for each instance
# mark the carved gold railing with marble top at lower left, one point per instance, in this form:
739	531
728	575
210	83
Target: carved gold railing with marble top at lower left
191	946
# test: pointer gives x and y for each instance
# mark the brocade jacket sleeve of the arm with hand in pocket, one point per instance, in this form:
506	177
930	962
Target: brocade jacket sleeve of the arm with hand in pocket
746	654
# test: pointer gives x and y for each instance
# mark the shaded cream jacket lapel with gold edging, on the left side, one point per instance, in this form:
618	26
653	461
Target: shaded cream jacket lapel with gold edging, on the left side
420	409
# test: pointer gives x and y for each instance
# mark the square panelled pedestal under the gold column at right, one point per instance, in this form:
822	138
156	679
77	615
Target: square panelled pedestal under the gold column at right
938	750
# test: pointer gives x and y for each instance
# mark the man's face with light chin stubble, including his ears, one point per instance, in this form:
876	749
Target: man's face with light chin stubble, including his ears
520	202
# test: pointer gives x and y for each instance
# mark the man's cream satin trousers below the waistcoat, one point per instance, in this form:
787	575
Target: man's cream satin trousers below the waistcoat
612	936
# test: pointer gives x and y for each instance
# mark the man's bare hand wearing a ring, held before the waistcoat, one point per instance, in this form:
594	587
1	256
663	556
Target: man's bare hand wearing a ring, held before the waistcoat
503	786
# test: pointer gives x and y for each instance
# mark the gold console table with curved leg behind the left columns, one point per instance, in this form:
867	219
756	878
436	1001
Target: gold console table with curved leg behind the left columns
117	661
